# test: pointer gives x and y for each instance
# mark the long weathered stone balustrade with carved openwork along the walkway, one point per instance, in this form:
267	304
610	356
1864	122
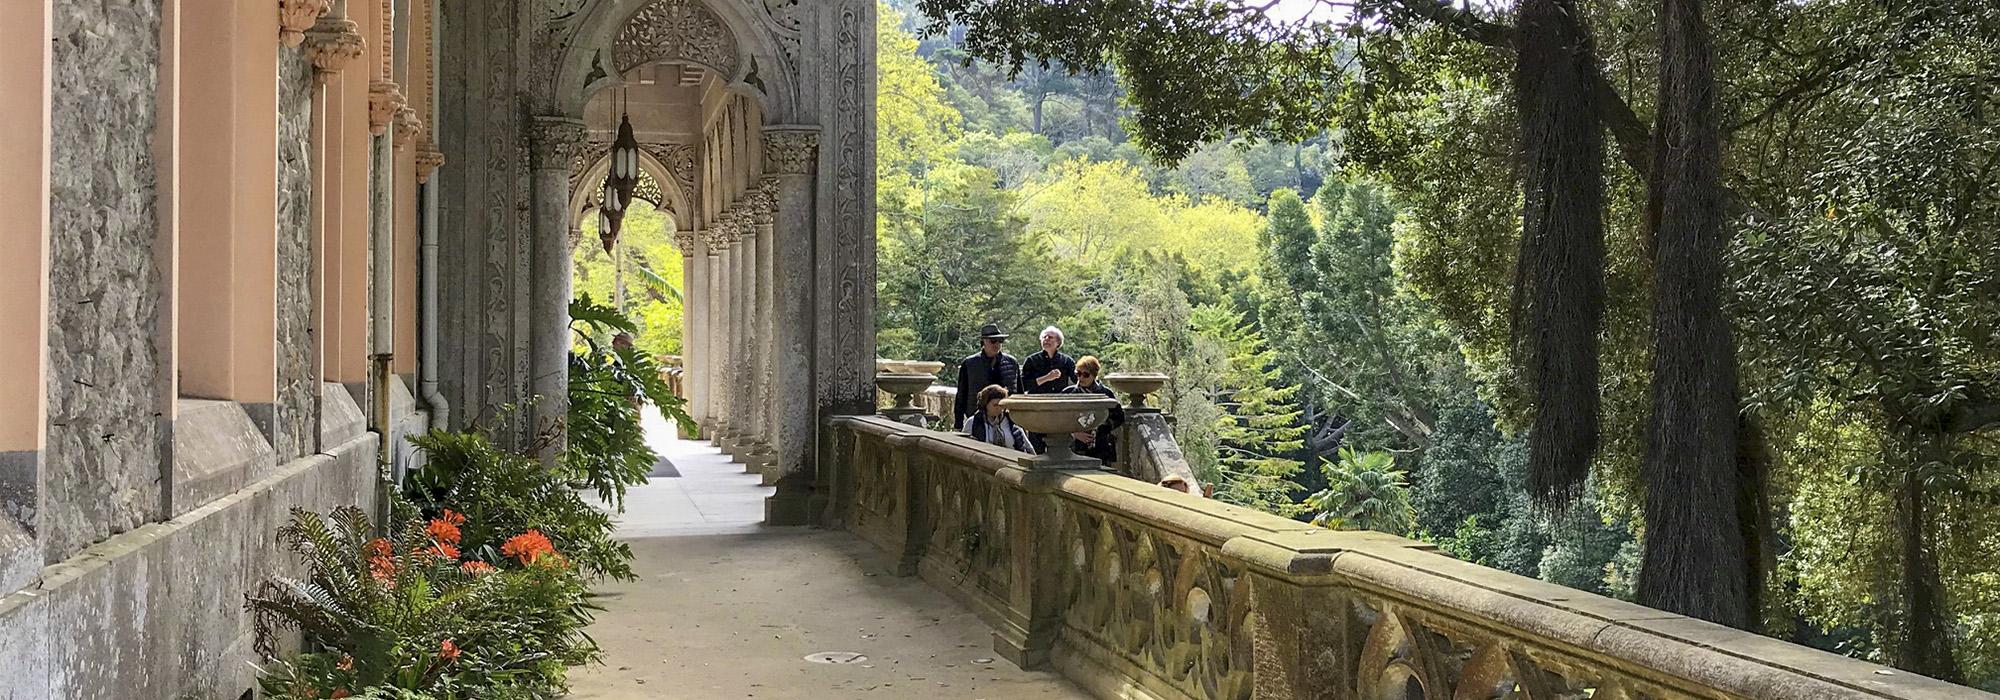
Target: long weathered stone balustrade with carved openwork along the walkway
1137	591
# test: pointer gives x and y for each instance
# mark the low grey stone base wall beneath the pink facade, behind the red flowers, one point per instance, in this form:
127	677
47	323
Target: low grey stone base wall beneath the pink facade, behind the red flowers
159	613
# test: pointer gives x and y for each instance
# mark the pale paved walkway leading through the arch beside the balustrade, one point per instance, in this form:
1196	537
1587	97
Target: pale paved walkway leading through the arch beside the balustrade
729	609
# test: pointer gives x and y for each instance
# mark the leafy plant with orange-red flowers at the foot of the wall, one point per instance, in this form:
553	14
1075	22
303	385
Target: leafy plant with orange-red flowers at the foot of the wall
407	617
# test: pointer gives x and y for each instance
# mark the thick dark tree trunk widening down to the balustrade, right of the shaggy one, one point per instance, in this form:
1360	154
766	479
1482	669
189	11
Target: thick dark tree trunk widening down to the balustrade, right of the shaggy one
1695	561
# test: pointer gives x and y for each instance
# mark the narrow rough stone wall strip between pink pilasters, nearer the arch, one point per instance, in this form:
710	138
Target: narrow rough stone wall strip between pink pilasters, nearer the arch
297	419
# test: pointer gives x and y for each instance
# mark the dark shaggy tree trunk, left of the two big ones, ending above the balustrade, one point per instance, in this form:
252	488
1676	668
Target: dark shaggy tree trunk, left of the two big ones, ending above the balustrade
1559	289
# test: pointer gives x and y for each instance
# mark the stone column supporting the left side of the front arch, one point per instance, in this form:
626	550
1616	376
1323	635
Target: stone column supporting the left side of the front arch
557	143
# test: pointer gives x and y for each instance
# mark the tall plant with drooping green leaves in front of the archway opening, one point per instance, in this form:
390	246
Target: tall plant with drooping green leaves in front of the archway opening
611	381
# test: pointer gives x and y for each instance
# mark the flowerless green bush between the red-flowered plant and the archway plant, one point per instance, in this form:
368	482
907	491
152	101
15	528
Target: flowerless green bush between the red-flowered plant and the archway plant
503	495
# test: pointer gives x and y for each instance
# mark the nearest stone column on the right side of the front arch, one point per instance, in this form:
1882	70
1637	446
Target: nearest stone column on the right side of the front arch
791	155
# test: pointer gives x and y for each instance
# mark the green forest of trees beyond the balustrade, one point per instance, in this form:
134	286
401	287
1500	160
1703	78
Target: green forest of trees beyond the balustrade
1319	229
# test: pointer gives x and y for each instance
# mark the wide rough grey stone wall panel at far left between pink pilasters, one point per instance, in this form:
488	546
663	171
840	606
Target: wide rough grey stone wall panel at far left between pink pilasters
107	447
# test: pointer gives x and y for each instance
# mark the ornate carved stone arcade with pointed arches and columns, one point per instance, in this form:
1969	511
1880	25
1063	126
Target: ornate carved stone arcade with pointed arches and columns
755	125
